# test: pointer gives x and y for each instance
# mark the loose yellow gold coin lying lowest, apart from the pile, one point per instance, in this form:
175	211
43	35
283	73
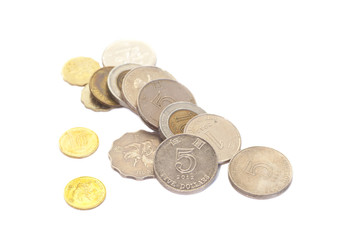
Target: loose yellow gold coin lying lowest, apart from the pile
84	193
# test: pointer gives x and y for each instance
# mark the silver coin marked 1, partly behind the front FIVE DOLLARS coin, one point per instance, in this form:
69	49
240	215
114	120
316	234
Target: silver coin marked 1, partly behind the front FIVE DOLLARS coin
219	132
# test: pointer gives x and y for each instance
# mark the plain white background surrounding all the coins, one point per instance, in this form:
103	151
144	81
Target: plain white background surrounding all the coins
285	73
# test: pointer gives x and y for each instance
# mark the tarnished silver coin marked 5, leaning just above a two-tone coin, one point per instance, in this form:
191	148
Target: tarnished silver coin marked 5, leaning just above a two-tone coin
156	95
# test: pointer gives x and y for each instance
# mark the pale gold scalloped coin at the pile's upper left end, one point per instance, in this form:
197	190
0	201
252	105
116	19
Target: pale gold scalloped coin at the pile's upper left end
78	71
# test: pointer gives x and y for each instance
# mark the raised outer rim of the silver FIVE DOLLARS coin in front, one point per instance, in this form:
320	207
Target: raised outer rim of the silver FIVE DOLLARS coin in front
192	191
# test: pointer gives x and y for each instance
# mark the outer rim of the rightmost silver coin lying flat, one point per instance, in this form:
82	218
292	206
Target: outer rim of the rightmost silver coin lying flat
257	196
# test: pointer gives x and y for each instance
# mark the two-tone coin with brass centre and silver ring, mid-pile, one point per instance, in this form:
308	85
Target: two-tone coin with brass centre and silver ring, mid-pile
175	116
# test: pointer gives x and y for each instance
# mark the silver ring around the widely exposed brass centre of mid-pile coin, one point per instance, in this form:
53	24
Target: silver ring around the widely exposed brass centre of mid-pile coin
168	111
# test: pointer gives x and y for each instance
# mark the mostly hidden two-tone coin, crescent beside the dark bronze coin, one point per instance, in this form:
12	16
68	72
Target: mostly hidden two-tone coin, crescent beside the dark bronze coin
115	80
